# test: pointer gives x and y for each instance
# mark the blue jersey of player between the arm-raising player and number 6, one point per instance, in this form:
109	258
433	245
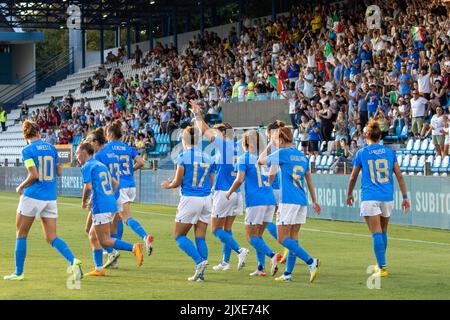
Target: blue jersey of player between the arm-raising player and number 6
258	191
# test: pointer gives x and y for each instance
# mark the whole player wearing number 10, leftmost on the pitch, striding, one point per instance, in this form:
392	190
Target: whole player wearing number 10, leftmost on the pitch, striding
38	199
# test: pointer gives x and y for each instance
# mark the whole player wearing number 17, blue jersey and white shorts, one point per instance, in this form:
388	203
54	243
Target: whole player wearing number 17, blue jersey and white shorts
195	176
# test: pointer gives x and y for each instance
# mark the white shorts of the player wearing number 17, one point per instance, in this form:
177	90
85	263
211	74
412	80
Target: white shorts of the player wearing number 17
192	209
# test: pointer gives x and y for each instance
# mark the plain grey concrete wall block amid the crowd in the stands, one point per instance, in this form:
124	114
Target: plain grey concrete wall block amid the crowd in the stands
255	113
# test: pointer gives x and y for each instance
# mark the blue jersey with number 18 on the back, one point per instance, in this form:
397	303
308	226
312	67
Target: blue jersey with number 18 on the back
377	164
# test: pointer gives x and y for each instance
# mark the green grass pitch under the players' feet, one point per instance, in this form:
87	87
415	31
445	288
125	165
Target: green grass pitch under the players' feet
418	260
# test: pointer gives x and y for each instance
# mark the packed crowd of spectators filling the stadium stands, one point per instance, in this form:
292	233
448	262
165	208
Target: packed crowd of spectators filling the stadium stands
334	70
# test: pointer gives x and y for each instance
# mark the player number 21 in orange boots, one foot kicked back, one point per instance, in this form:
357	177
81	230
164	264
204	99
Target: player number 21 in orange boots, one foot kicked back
98	195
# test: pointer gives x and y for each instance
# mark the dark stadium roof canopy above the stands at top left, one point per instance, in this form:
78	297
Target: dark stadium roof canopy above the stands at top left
96	14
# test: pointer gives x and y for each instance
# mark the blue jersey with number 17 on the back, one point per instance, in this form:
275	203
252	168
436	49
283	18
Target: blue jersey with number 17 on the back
197	168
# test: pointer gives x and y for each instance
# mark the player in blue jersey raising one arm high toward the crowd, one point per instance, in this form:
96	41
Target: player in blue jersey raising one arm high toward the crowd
224	210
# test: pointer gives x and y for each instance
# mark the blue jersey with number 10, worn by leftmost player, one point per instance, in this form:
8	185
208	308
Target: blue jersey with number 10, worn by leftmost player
45	157
